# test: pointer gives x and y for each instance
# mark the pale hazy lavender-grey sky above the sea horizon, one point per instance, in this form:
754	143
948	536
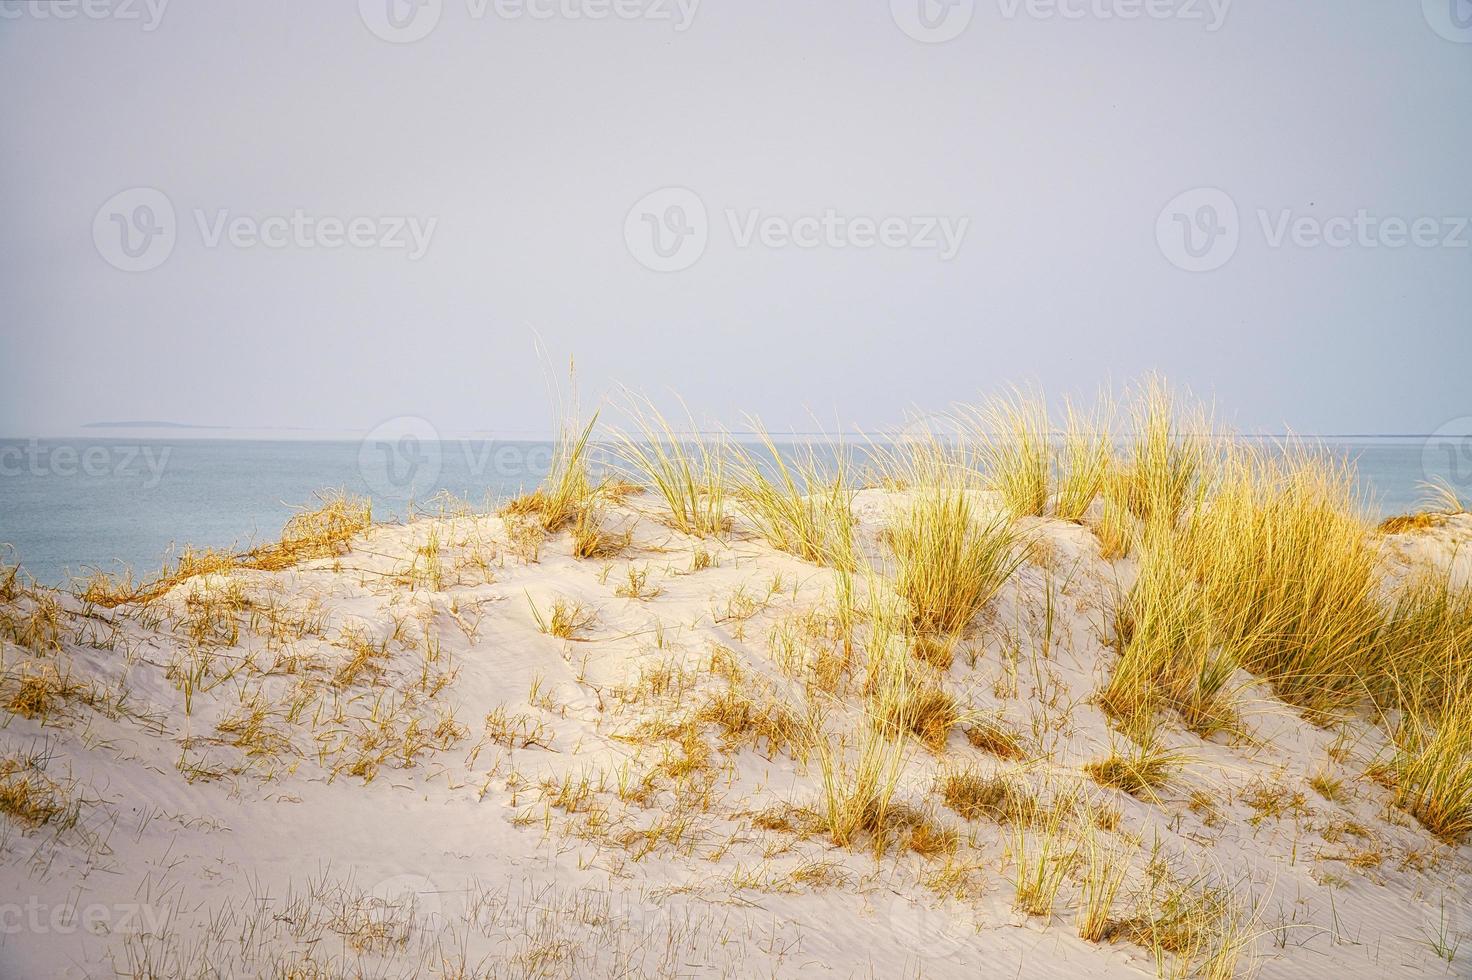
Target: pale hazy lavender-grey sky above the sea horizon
1044	145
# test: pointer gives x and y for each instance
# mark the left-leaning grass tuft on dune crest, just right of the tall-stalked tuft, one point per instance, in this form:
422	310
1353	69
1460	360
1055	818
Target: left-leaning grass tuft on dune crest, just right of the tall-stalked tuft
688	472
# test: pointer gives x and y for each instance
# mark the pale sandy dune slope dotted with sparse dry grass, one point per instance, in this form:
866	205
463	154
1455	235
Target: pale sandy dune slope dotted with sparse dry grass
269	850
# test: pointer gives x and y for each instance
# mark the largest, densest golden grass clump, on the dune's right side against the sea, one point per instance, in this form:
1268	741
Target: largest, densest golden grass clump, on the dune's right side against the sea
1271	569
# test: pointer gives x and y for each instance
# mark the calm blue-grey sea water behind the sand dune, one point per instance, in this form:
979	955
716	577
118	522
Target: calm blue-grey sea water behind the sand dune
73	505
